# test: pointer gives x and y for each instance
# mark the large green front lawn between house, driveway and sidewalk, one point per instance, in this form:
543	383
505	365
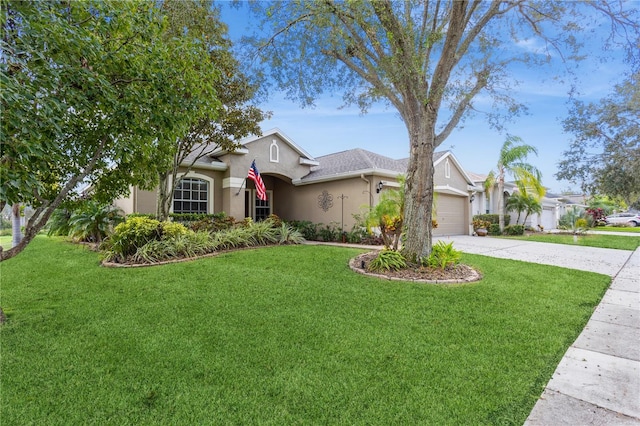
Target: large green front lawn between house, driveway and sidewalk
279	335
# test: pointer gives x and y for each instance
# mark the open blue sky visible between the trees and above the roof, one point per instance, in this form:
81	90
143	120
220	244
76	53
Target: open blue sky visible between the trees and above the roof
327	129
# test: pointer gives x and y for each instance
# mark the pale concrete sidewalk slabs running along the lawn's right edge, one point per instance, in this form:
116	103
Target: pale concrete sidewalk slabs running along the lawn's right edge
598	380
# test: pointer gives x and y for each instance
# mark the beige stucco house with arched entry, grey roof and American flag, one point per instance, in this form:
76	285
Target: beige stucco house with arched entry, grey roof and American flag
327	189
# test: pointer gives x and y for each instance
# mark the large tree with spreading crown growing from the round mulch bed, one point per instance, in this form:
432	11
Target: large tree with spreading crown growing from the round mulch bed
429	59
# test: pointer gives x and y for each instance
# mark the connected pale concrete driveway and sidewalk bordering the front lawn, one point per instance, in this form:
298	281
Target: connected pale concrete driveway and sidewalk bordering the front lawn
598	380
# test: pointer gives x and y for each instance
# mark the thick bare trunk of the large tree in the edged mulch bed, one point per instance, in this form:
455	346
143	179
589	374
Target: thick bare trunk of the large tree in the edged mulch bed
419	187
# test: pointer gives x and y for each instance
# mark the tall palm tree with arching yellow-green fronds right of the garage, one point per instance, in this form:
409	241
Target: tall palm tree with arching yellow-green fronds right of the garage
512	160
